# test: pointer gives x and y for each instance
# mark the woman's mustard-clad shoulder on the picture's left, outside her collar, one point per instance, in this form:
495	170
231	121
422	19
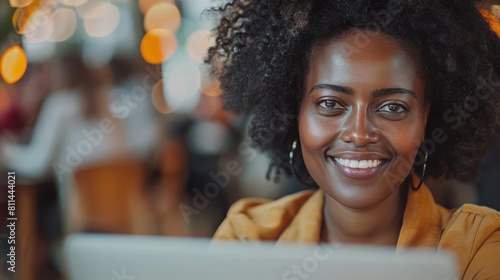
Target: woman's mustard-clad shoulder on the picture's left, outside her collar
261	219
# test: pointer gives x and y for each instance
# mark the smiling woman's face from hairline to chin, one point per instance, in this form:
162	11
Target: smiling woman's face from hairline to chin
361	119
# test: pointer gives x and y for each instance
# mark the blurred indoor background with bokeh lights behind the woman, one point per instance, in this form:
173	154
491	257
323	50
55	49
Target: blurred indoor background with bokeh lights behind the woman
112	124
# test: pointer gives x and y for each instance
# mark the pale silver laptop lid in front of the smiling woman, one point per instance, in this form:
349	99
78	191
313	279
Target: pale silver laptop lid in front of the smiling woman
115	257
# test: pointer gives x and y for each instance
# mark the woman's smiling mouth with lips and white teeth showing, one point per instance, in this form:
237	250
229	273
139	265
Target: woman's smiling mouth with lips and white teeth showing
359	169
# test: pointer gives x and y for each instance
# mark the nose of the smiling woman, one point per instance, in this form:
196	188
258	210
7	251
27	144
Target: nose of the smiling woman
359	129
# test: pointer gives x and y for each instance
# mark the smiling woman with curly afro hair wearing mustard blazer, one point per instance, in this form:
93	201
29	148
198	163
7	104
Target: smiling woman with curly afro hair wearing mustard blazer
385	94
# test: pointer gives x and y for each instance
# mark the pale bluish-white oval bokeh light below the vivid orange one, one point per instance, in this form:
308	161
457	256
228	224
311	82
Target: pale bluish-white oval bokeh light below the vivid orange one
182	89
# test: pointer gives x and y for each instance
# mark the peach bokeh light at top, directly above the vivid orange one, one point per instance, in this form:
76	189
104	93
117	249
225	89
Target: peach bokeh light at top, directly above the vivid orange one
164	15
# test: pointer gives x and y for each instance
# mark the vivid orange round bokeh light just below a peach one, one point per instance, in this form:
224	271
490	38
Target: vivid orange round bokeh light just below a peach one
158	45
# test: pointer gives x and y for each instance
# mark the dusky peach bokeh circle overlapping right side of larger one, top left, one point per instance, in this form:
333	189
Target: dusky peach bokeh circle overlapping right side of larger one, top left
64	21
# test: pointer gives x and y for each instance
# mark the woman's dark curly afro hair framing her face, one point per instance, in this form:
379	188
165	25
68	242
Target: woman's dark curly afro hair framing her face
263	47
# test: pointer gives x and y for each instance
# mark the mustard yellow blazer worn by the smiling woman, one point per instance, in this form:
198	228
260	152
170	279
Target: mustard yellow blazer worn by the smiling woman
471	232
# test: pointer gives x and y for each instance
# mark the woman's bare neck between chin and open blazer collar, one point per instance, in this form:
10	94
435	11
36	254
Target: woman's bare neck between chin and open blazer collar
379	224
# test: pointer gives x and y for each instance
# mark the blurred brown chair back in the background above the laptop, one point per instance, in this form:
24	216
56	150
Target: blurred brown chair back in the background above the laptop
112	197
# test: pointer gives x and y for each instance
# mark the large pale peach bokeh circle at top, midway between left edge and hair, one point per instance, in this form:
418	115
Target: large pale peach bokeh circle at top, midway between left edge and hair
105	23
